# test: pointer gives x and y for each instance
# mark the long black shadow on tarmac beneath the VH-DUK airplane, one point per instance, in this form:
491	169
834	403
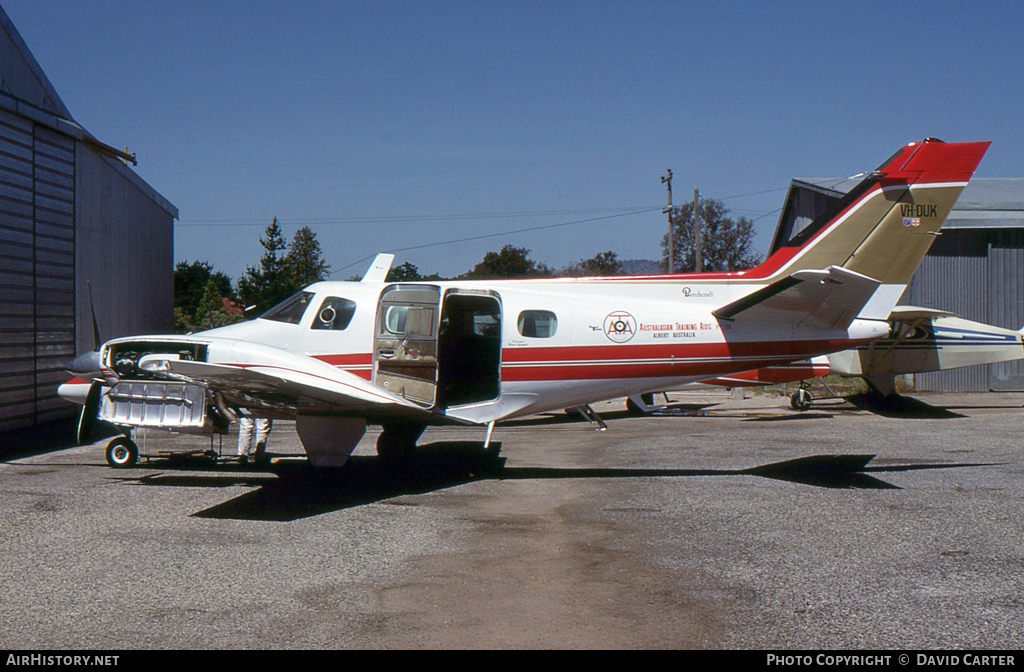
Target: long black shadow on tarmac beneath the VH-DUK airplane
292	490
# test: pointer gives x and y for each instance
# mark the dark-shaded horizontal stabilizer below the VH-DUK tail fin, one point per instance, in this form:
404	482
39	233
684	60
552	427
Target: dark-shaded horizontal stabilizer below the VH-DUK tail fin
817	300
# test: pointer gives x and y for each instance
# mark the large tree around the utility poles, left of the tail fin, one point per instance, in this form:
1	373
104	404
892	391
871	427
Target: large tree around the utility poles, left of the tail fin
728	244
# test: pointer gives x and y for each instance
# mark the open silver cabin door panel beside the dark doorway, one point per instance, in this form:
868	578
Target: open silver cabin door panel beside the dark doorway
406	343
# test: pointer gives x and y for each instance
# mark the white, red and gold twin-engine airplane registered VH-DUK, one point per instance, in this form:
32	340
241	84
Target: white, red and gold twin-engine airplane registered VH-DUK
339	356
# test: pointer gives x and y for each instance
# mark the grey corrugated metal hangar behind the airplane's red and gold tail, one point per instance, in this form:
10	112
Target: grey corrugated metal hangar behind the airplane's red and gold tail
975	269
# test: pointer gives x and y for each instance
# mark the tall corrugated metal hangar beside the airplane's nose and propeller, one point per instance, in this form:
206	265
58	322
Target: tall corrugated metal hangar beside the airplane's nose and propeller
75	221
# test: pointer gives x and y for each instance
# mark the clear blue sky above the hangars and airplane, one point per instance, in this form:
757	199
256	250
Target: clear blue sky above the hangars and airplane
391	124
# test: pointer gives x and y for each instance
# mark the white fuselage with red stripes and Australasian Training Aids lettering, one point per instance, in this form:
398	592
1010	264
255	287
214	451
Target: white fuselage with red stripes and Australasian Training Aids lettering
596	341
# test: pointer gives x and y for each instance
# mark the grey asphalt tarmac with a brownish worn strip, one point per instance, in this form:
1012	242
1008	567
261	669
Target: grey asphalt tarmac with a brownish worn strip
723	524
